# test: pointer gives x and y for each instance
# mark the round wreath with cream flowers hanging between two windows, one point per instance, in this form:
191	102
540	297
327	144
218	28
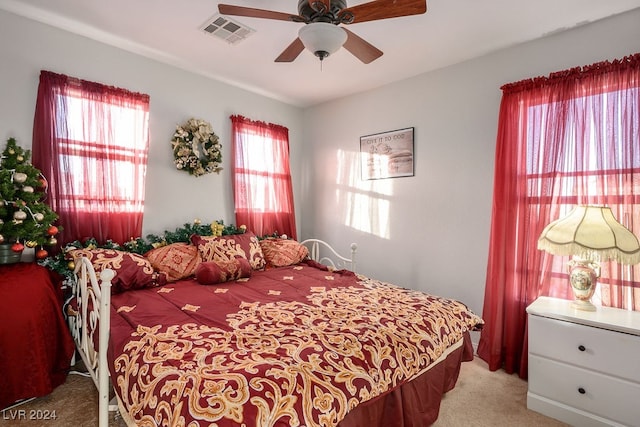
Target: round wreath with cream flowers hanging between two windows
196	148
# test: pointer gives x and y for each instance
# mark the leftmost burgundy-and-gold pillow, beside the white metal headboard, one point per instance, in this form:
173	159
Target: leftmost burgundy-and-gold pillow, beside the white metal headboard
133	271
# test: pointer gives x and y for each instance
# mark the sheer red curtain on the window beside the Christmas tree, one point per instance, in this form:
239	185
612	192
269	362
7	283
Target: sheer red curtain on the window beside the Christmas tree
91	142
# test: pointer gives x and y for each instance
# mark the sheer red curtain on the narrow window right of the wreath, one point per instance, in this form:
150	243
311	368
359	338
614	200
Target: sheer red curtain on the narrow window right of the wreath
263	193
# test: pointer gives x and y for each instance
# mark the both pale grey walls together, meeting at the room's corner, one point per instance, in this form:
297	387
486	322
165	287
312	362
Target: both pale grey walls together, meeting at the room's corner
428	232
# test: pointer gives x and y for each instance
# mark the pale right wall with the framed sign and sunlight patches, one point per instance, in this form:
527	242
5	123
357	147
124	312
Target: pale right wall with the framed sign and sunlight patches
431	231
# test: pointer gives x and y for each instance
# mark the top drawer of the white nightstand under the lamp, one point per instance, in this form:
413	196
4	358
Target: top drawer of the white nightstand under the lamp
595	349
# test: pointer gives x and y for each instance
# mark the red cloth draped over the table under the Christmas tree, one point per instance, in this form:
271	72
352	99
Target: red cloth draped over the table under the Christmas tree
35	344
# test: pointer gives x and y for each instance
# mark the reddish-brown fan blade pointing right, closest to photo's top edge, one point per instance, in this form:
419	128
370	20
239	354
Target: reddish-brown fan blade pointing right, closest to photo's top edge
383	9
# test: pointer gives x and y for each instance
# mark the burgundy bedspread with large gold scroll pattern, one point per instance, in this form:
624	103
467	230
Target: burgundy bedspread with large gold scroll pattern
293	346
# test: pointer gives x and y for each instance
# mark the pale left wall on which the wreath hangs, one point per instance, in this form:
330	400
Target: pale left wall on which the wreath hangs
172	197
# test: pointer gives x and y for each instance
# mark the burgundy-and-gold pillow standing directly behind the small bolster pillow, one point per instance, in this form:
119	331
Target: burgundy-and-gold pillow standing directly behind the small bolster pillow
225	248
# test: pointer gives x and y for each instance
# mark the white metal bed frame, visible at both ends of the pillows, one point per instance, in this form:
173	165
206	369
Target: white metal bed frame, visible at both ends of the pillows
93	297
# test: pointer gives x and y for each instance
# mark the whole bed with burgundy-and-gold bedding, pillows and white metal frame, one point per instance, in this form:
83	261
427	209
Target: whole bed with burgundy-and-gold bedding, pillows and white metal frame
248	332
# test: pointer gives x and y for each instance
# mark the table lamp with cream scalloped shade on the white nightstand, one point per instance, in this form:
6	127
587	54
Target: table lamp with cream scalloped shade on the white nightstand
590	234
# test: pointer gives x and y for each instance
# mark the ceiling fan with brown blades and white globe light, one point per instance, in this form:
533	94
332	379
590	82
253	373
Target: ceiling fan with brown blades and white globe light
322	34
